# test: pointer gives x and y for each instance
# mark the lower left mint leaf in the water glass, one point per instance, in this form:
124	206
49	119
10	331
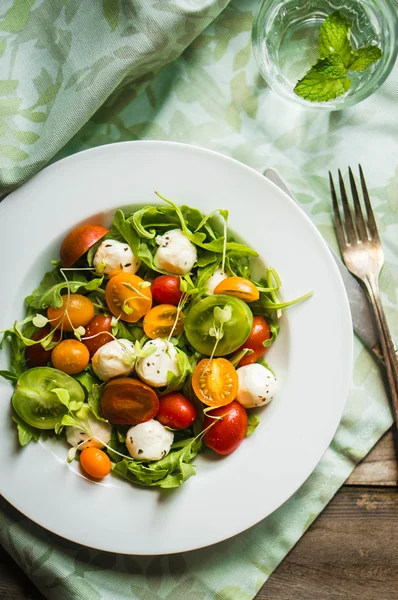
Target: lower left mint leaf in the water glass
325	81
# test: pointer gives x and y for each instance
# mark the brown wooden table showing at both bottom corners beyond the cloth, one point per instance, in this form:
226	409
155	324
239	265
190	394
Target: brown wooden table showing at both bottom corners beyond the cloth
350	552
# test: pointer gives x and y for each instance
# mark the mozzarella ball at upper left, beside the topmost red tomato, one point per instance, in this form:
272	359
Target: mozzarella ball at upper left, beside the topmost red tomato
113	257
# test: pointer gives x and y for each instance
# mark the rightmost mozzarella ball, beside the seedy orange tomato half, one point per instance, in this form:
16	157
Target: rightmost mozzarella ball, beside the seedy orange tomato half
257	385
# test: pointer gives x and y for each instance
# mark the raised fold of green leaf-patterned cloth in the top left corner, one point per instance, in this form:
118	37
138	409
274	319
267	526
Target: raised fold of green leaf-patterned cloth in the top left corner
61	60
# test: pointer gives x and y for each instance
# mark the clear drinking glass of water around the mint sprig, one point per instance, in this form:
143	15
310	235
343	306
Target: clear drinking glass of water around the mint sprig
285	42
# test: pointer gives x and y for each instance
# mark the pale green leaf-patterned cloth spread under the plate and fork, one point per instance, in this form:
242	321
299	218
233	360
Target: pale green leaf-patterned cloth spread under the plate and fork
62	62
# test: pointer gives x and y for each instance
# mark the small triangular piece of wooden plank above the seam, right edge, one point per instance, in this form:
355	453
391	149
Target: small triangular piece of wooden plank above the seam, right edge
379	467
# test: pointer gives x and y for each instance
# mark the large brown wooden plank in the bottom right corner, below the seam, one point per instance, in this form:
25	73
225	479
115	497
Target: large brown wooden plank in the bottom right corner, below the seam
349	553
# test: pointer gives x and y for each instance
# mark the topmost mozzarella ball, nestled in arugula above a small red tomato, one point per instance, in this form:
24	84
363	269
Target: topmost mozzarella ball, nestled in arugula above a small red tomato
175	254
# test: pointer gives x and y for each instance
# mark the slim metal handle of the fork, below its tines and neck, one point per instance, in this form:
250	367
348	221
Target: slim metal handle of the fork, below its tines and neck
387	345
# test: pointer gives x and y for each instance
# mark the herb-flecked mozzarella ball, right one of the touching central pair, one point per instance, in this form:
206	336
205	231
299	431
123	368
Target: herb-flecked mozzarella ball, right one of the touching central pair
153	369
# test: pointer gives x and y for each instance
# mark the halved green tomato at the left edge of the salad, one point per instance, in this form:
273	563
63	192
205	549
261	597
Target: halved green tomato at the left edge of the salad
36	403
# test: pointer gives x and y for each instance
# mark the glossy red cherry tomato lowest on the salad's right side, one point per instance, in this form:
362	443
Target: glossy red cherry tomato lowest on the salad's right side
225	435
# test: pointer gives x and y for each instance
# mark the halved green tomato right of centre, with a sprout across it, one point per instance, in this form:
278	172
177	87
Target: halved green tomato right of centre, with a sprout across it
200	320
